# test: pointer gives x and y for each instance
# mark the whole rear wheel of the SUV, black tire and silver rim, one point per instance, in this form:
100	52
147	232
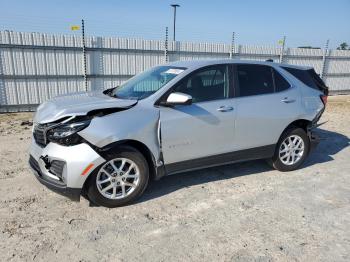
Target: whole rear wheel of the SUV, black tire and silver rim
291	151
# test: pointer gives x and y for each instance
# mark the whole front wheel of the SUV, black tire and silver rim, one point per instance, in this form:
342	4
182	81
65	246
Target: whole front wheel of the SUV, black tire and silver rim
120	180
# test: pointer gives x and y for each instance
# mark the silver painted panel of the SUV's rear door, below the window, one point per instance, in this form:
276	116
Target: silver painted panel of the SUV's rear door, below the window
261	119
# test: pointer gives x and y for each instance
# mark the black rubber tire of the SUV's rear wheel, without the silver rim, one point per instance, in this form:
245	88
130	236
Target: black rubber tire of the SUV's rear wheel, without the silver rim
277	163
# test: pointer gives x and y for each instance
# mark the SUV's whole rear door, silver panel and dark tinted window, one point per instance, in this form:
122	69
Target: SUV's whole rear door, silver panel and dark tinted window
266	103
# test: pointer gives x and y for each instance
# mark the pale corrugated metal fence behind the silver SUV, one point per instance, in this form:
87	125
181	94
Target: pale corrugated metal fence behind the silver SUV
35	67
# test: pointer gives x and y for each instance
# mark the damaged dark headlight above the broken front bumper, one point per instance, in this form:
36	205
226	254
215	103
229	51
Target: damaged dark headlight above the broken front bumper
66	134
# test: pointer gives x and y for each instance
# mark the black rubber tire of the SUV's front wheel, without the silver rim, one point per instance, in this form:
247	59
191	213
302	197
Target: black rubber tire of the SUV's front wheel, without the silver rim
126	152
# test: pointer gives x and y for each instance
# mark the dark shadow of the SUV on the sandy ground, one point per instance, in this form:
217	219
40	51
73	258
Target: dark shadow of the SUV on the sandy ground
331	143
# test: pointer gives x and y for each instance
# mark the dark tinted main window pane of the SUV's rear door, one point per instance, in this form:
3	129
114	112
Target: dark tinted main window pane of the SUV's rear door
254	80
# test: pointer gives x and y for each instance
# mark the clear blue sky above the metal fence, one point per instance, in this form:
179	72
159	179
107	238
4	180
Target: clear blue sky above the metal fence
254	21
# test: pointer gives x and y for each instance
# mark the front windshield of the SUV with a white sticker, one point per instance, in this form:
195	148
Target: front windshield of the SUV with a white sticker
147	83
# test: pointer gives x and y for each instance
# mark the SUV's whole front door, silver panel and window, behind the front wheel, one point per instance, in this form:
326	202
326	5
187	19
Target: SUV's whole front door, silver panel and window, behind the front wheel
206	127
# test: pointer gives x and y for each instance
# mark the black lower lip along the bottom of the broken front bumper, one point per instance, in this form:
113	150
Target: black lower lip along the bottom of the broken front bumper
71	193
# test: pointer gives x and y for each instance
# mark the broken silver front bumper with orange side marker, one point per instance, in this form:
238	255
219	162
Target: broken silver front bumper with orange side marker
63	169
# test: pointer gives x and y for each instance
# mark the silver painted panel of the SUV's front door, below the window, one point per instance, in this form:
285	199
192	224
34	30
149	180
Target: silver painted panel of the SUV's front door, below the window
197	130
